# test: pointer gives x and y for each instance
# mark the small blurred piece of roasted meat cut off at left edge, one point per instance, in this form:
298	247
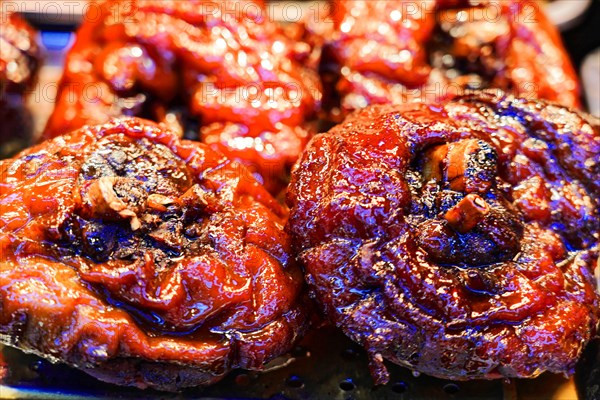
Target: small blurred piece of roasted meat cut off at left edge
19	62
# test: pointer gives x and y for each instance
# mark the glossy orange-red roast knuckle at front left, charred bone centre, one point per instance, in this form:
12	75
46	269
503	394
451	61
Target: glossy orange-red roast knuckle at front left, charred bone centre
143	259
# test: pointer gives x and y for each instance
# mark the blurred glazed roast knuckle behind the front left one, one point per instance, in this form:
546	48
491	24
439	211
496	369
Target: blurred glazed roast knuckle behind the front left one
220	71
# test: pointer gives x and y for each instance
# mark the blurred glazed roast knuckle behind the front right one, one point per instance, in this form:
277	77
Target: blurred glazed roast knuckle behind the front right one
400	51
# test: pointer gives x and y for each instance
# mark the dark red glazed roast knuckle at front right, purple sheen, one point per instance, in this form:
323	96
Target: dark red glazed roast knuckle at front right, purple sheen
459	240
